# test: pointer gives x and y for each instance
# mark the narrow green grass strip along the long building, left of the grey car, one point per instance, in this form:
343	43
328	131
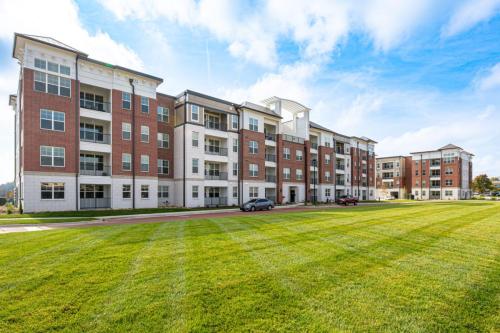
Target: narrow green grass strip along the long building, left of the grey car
110	212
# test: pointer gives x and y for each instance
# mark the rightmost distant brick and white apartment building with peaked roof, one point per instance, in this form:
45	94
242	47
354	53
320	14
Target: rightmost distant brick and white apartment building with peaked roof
444	174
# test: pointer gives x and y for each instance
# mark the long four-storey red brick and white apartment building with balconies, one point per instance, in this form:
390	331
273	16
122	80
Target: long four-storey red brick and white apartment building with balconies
93	135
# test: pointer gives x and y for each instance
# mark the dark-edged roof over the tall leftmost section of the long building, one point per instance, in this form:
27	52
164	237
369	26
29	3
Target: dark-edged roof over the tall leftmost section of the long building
60	45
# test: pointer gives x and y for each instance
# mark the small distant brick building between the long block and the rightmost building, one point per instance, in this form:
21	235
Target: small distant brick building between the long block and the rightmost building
394	177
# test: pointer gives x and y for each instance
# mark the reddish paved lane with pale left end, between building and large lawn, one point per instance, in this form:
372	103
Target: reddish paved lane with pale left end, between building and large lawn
160	217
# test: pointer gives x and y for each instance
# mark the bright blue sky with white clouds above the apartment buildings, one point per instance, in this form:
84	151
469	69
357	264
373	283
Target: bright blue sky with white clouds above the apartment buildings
412	75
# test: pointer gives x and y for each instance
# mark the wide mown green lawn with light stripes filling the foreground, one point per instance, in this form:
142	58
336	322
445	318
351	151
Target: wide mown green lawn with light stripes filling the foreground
405	268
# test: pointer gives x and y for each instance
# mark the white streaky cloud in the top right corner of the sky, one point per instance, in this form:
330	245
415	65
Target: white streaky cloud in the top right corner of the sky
468	14
